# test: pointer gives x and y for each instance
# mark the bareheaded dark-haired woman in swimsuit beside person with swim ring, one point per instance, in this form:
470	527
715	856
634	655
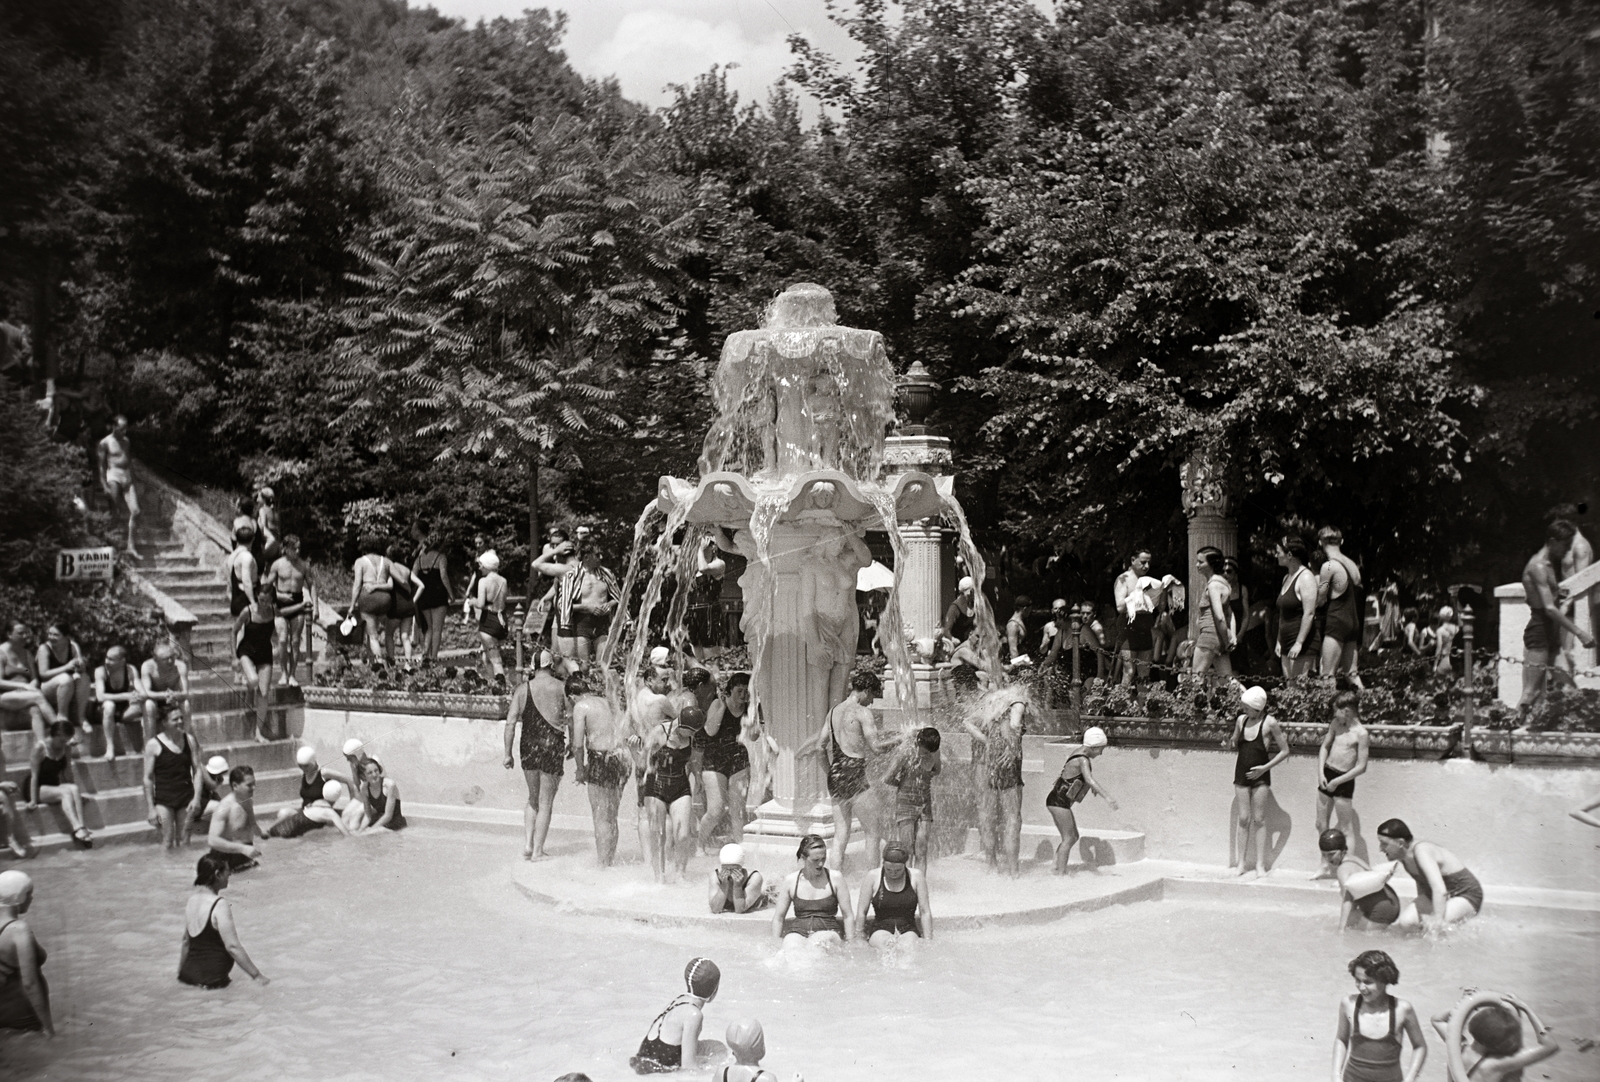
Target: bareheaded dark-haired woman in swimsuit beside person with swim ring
1358	1054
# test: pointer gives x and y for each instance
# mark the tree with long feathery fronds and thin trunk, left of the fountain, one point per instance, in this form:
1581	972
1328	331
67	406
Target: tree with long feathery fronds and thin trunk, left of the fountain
505	283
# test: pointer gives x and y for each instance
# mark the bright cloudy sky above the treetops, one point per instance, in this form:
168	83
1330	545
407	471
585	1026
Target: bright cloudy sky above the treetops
650	44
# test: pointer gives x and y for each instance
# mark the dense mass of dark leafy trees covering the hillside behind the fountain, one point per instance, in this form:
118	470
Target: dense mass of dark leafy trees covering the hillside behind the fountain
1345	254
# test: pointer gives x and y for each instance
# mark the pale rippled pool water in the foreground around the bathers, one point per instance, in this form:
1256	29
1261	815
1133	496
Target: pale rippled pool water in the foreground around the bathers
414	958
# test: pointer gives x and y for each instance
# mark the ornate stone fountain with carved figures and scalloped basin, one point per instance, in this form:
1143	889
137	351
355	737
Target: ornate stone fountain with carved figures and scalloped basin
793	476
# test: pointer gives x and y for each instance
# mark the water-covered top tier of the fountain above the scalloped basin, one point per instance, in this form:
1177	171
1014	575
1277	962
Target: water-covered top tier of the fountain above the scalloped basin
801	395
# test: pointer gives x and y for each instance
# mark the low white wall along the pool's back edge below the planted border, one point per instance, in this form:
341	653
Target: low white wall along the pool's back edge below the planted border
1510	824
